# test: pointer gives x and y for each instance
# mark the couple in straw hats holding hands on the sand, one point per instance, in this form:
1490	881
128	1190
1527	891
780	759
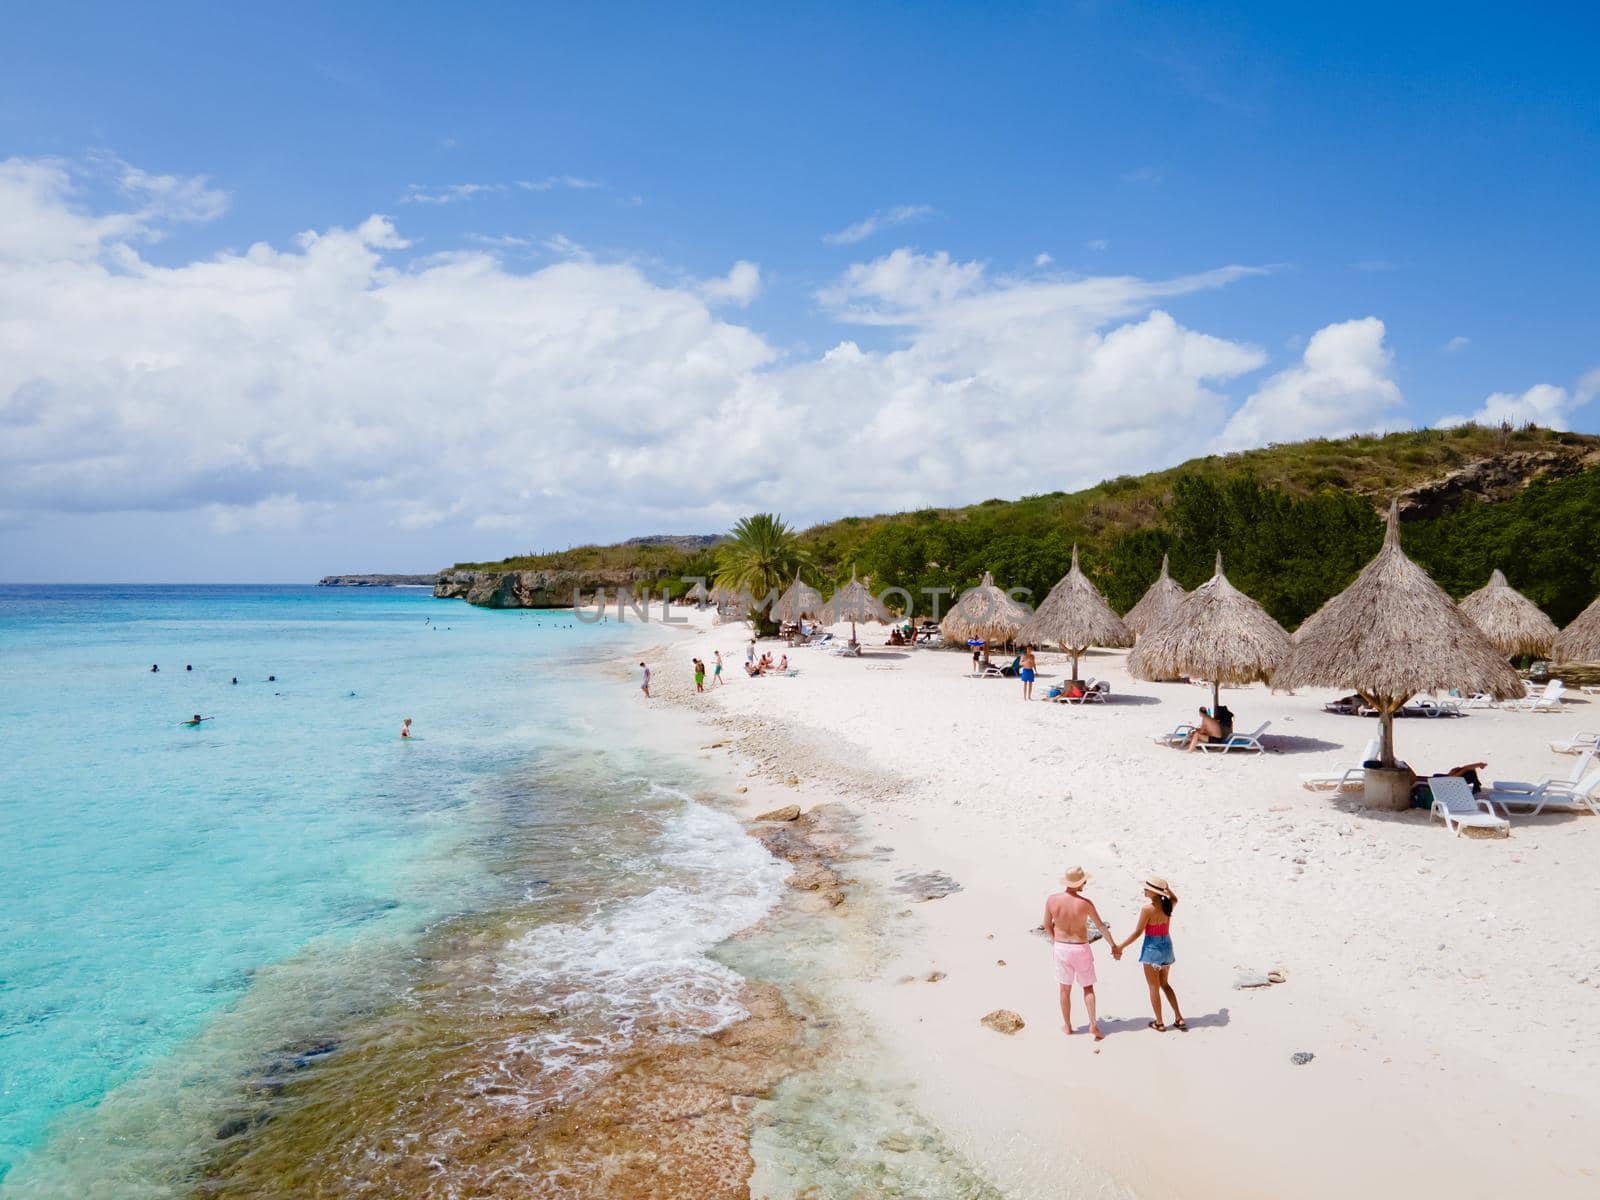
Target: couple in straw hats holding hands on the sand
1068	916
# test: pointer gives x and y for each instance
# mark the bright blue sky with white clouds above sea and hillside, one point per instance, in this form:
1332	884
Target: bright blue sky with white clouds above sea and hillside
1430	172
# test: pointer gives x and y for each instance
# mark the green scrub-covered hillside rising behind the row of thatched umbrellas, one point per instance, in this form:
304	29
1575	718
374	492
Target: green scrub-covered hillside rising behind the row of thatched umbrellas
1295	524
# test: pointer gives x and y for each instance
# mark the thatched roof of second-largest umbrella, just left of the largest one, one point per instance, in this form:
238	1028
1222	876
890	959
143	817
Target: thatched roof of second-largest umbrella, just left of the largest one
1217	634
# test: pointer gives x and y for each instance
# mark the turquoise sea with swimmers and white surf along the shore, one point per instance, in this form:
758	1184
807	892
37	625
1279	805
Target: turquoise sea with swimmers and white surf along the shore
194	919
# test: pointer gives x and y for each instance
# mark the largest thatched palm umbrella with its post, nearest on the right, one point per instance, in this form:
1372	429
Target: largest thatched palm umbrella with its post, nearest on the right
1391	636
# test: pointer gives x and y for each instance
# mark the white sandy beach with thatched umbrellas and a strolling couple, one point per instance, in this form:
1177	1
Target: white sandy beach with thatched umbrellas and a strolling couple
1449	988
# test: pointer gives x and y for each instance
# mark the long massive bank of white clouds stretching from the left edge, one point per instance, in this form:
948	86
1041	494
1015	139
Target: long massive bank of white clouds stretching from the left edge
338	378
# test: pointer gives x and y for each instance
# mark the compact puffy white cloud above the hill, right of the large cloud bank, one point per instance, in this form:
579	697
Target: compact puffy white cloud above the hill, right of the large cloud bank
1342	386
